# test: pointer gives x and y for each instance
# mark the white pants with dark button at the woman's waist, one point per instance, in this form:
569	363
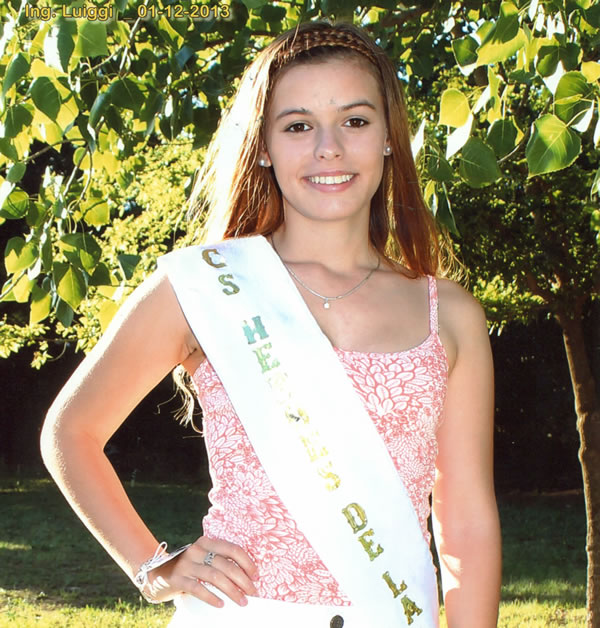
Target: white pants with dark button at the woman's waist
261	613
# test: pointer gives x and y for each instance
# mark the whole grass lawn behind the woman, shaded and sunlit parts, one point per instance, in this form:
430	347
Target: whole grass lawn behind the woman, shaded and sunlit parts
54	574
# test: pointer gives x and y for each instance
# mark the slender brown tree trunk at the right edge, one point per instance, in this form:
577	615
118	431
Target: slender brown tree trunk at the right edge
587	408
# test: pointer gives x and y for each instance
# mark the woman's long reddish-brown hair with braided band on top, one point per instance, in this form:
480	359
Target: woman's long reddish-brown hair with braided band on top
237	197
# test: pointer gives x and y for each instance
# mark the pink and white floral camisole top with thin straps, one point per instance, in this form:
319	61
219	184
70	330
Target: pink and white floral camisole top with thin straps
404	394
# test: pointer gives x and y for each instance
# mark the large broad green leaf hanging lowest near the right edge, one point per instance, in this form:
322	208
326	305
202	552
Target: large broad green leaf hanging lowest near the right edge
552	146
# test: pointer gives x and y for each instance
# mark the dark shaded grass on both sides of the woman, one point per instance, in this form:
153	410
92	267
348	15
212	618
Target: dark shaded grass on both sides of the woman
49	558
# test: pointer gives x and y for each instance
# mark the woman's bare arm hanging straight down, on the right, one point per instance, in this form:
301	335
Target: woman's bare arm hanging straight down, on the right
465	515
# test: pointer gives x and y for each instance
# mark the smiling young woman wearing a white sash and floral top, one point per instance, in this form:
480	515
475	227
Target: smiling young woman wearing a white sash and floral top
340	381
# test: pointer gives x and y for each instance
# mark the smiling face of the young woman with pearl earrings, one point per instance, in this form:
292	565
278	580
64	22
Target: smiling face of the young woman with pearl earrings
325	136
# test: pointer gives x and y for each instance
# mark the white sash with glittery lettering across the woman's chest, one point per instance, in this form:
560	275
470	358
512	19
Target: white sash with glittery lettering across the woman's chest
310	430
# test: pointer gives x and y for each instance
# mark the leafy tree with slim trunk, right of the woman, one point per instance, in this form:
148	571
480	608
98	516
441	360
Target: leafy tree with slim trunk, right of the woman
532	238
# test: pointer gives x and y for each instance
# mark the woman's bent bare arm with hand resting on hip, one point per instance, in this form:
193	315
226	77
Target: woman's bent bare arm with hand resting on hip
147	339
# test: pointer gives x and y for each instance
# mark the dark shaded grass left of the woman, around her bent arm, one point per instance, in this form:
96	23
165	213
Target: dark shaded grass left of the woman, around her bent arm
48	556
